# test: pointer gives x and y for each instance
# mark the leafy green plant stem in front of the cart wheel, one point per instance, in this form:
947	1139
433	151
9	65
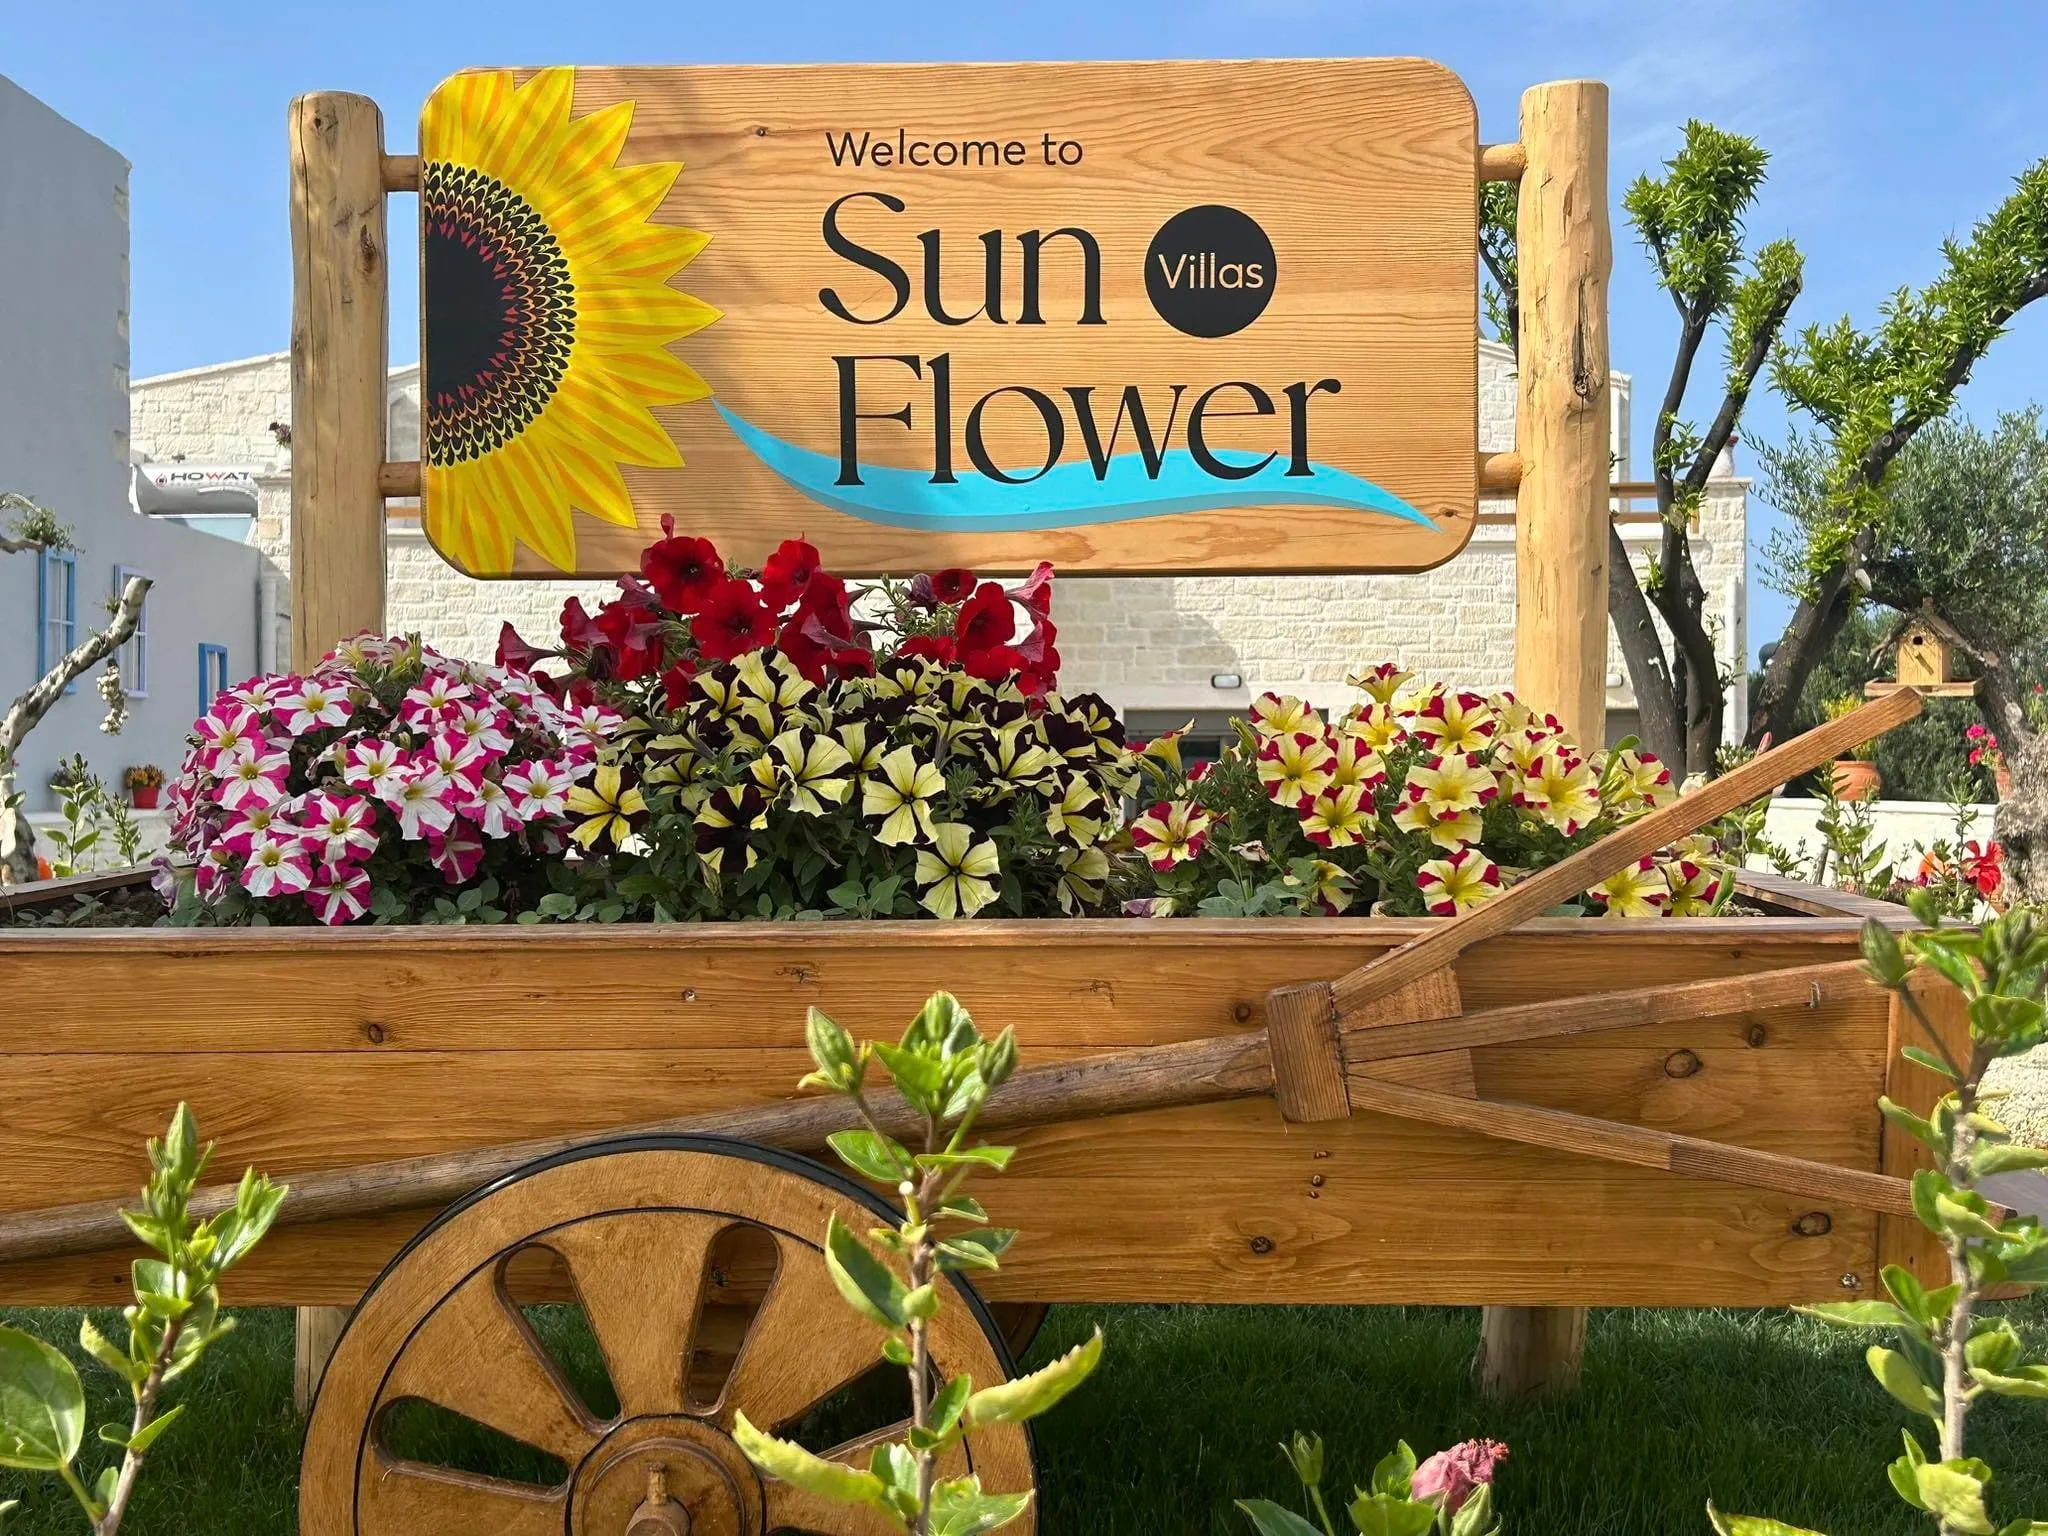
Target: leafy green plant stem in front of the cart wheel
945	1072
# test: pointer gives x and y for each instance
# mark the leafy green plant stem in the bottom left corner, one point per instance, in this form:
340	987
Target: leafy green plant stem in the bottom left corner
173	1322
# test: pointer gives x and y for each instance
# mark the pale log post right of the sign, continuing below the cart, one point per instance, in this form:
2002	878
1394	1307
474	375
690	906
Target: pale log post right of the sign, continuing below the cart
1564	437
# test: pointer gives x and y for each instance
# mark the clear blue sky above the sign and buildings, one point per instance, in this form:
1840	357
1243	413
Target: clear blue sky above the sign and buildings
1891	126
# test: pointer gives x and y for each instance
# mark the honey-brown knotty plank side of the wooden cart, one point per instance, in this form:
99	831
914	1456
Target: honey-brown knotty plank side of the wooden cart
493	1037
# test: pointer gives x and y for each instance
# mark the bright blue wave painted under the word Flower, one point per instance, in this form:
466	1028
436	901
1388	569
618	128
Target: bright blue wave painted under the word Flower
1066	497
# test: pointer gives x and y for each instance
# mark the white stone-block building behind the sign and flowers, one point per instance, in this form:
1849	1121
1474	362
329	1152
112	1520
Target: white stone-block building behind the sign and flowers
1160	648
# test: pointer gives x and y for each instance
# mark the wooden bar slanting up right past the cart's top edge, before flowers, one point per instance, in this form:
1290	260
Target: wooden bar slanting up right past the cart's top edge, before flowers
1621	849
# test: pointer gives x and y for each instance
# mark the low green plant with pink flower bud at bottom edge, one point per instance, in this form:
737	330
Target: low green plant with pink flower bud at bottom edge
1447	1496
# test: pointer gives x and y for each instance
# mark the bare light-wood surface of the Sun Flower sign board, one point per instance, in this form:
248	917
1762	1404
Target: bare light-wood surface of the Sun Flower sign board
1363	173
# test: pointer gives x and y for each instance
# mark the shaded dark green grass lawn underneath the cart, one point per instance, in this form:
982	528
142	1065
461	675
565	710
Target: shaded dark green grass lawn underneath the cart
1764	1412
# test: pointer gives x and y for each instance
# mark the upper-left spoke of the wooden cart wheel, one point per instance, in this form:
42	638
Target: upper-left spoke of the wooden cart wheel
476	1357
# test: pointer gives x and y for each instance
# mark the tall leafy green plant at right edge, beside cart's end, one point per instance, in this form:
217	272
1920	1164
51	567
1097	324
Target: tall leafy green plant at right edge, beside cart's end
1947	1357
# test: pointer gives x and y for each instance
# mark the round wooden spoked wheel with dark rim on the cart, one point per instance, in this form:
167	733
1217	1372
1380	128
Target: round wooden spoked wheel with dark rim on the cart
642	1232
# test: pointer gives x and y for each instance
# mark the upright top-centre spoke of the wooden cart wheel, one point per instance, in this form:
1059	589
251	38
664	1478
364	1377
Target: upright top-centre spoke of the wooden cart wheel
640	1277
